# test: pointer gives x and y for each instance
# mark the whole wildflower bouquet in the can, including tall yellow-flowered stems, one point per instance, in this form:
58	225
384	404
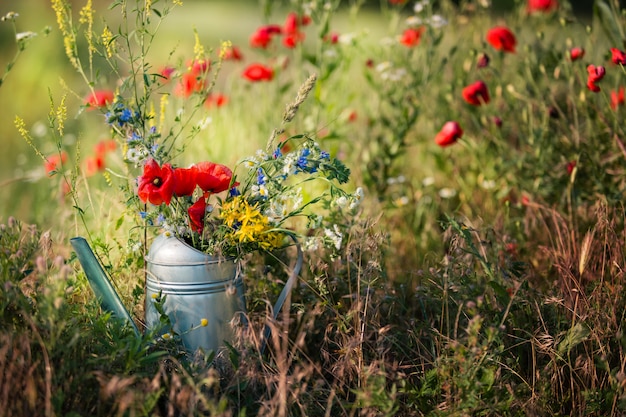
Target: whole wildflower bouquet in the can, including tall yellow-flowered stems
268	196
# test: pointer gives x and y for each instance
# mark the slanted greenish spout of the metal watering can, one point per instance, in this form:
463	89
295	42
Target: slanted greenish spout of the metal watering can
100	283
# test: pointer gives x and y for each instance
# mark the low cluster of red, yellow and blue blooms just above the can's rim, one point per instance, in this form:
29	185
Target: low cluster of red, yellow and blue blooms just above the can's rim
207	206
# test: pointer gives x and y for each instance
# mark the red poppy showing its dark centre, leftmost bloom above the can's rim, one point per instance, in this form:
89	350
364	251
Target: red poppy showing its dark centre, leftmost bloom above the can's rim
156	185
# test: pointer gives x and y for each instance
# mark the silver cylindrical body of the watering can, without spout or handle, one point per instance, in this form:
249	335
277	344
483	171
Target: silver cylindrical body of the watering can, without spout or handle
202	295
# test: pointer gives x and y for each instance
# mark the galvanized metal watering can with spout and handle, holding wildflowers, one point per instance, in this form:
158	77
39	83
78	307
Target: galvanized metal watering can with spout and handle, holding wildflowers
203	294
